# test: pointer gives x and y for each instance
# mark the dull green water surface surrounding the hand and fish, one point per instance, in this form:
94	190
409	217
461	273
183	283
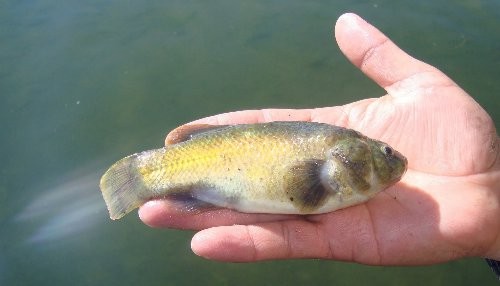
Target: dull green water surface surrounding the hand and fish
84	83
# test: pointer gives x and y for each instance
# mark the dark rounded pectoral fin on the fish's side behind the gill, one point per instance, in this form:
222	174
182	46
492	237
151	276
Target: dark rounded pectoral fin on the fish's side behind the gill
304	187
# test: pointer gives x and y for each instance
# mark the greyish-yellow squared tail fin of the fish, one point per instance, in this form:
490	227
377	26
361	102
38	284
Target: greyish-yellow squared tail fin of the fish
123	188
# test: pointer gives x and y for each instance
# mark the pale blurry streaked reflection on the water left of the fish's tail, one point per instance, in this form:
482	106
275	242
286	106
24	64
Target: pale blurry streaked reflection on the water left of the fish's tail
66	208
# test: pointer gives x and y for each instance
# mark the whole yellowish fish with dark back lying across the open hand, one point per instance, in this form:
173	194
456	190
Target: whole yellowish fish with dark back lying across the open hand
276	167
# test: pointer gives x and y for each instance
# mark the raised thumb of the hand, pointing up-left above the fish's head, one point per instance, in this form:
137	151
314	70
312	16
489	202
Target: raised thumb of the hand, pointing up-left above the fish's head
379	58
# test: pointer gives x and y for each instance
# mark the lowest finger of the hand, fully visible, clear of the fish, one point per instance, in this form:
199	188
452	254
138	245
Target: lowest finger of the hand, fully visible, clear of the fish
343	235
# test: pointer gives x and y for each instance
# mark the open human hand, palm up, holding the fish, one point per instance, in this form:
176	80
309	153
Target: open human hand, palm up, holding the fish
447	205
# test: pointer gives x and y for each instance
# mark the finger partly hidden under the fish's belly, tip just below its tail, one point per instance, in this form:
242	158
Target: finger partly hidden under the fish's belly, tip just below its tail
164	213
